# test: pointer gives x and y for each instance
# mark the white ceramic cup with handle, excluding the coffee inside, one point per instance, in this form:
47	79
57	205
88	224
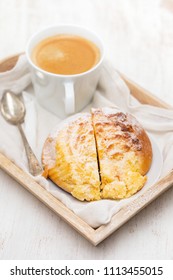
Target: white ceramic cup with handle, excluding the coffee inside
64	95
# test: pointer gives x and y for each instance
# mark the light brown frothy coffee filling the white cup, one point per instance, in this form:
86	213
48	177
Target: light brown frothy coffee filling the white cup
65	54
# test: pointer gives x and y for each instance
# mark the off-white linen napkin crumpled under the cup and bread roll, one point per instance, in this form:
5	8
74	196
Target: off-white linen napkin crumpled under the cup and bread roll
111	91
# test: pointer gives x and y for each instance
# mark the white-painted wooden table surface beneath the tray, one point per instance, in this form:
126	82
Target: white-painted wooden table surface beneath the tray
138	36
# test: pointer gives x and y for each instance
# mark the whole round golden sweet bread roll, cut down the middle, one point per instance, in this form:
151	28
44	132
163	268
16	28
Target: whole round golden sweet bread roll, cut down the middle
105	154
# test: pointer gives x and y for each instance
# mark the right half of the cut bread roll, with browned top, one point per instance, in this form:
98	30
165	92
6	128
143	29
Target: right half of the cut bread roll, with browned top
124	152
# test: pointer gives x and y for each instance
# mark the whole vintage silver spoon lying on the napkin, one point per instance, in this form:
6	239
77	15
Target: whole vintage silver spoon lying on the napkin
13	110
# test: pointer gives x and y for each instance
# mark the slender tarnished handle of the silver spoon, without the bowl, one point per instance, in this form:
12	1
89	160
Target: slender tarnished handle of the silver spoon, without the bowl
34	166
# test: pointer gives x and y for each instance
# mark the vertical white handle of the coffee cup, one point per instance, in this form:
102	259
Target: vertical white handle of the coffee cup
69	98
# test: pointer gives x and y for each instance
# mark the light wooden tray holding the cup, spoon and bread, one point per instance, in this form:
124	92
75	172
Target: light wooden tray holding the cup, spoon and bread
95	236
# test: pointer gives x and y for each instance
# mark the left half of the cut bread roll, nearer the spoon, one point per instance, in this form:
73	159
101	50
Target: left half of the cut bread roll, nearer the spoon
70	160
